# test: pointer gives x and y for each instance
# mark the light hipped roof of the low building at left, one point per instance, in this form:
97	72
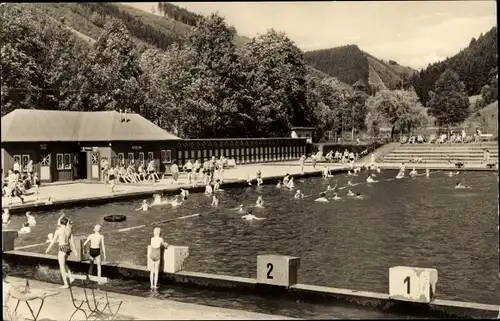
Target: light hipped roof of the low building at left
32	125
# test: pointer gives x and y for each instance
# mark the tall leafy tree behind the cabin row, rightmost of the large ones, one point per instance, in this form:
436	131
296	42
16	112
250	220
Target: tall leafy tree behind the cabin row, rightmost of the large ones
275	81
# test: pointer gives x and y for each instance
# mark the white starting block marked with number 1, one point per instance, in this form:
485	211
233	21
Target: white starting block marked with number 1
412	284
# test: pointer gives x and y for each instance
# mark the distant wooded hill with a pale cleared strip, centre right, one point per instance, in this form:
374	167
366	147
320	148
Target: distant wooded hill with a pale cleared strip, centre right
350	64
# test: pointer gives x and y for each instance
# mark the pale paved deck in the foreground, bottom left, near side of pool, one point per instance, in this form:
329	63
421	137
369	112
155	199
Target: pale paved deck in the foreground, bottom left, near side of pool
59	307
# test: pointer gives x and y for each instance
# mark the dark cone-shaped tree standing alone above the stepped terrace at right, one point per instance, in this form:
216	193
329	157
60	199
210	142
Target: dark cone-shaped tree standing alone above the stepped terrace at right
449	103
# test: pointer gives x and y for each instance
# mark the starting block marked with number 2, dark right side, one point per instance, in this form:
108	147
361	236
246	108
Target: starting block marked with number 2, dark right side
277	270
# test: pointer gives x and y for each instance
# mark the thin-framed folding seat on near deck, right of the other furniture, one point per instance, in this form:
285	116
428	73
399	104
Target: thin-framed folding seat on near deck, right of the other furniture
95	301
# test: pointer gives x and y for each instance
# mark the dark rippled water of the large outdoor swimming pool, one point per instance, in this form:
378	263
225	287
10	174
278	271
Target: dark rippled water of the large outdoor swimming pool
350	243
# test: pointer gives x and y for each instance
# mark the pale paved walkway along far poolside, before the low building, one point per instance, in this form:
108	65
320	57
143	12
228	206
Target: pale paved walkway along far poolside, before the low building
78	191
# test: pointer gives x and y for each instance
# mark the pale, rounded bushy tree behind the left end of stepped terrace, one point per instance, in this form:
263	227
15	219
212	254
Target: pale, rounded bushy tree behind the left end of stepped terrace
400	109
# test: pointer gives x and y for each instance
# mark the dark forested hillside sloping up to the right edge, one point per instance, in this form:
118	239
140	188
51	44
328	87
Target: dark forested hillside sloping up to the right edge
474	65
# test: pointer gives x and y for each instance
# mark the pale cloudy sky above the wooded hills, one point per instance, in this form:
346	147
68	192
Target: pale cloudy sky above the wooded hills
413	33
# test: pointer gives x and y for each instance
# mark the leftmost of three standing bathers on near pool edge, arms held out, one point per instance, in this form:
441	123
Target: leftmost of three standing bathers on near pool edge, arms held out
66	242
